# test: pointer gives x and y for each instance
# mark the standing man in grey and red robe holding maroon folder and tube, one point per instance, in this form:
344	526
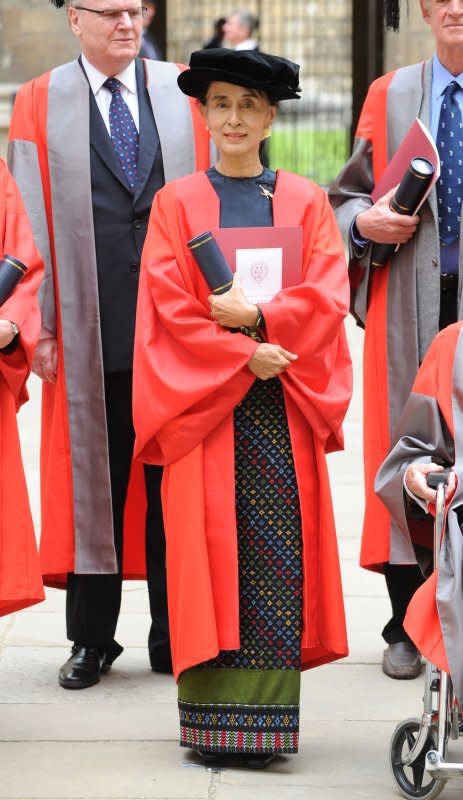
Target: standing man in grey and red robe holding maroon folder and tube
403	305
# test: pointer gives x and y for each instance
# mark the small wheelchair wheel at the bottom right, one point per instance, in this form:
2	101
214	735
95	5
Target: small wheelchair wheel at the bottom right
413	782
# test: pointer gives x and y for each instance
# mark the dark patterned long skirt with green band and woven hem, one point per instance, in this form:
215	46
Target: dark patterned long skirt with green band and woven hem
247	700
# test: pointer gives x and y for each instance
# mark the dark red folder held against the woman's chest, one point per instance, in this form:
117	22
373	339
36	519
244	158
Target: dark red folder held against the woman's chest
288	239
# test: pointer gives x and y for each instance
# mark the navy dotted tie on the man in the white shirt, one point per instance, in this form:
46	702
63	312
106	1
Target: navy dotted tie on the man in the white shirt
124	134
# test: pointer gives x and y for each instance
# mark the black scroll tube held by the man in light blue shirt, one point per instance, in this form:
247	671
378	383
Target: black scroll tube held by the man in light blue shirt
407	199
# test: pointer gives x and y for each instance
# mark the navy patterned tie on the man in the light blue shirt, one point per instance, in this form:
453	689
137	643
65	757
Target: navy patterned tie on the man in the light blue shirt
449	186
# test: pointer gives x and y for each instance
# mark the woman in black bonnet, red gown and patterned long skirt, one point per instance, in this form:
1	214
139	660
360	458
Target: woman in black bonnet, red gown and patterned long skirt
242	420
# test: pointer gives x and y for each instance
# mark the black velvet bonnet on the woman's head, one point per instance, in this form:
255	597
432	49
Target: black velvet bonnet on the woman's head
277	77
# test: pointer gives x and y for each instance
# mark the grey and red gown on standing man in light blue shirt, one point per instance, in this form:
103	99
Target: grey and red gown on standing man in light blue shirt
397	304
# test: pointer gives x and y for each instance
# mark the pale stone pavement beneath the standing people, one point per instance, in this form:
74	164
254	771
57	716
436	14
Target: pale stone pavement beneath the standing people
118	740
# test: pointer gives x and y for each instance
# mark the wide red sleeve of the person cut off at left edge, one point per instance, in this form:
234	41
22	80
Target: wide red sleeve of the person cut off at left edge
22	306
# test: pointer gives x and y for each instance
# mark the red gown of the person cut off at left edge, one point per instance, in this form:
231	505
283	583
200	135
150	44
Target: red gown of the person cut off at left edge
20	578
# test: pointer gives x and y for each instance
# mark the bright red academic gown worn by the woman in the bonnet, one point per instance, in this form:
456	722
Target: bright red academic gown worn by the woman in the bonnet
190	373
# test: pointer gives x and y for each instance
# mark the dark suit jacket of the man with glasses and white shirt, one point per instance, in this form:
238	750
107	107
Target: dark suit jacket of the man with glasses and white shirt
120	222
